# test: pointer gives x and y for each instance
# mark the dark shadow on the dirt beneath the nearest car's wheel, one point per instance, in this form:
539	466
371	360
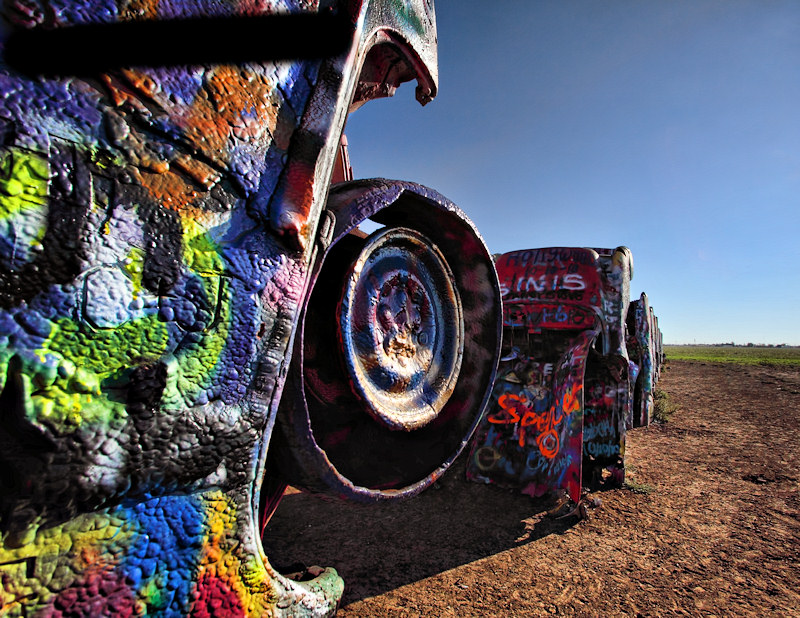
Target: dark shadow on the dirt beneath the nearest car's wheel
377	548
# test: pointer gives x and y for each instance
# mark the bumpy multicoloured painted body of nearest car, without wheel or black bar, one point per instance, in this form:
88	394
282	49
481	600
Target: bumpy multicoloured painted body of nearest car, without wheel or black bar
154	225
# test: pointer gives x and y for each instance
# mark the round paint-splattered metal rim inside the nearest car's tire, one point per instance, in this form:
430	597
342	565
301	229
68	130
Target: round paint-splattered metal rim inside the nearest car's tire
401	328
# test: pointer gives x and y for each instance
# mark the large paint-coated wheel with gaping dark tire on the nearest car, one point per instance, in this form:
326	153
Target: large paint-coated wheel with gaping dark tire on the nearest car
394	357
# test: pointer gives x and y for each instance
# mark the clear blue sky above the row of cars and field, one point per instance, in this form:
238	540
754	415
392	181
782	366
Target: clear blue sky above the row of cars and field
669	126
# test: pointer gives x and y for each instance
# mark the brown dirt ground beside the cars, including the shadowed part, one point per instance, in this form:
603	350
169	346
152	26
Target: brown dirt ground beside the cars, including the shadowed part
709	524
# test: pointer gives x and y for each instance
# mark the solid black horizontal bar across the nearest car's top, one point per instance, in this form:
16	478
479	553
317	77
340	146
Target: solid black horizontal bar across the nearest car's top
89	49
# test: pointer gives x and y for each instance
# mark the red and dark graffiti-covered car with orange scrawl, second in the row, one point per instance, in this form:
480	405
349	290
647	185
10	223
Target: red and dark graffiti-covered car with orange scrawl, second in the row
562	394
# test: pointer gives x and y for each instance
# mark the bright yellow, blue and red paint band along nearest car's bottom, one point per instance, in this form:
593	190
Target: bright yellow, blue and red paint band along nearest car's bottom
134	560
